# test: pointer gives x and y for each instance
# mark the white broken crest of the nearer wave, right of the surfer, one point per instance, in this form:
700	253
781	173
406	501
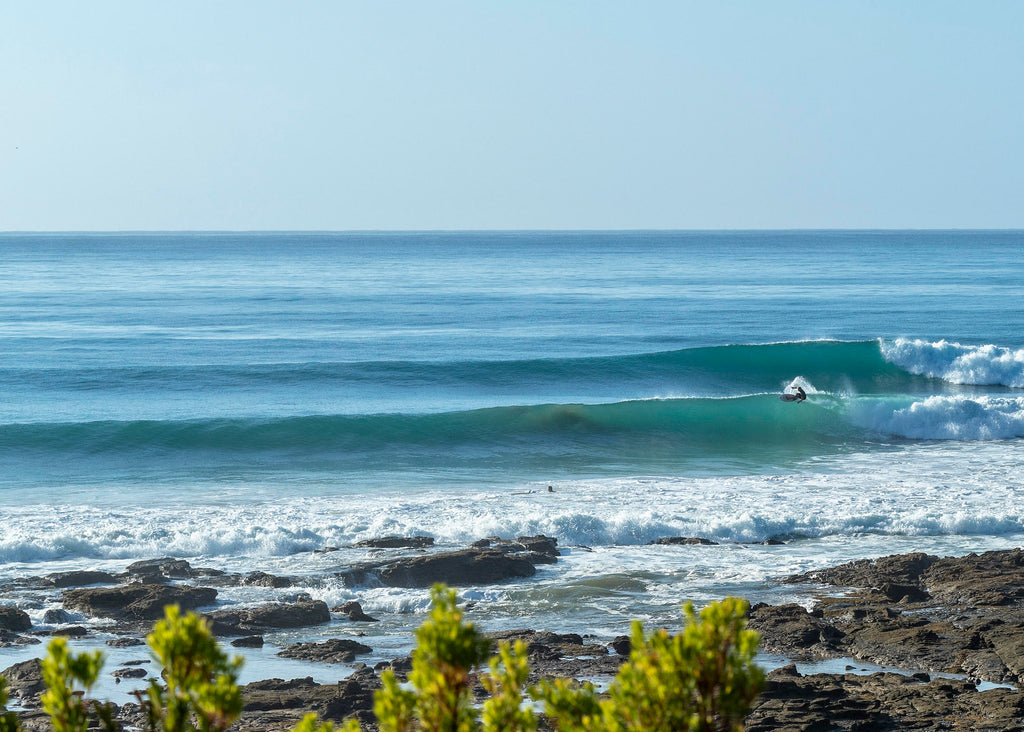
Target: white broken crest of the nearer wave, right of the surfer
951	418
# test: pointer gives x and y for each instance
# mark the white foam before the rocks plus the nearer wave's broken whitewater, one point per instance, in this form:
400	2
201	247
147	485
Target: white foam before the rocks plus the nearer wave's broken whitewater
926	490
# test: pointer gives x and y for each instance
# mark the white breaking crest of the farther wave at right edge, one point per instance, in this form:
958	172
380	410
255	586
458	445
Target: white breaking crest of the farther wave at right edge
988	366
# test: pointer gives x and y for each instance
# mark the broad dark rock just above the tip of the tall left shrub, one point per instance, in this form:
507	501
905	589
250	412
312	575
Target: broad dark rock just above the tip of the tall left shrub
138	602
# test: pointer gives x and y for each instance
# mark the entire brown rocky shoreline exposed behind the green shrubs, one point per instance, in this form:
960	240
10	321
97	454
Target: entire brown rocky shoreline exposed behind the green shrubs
948	625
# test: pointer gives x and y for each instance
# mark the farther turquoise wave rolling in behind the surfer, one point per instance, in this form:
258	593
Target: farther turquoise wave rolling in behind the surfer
267	391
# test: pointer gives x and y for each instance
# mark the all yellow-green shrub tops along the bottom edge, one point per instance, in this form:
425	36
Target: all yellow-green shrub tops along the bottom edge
701	680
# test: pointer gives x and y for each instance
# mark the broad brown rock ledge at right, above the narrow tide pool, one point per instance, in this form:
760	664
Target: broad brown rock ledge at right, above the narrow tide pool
961	616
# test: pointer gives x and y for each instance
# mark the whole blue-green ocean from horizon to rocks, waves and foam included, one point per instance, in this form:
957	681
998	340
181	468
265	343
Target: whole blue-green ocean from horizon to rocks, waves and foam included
243	400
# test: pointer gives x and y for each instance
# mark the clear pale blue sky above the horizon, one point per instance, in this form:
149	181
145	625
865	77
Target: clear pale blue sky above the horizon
242	115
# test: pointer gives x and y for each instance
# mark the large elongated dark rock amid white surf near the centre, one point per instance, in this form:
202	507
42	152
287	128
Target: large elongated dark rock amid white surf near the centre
471	567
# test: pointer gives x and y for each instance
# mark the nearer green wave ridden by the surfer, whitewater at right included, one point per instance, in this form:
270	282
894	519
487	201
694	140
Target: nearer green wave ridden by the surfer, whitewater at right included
720	423
